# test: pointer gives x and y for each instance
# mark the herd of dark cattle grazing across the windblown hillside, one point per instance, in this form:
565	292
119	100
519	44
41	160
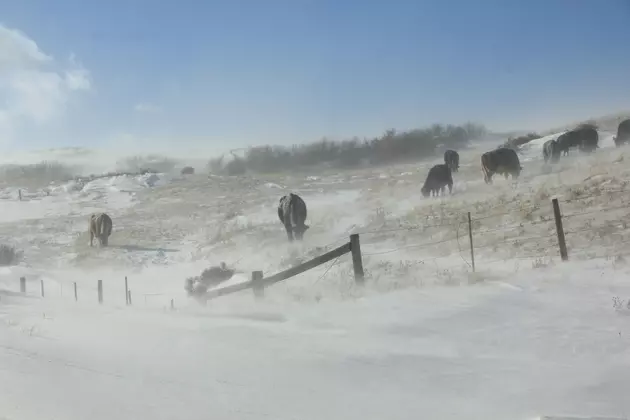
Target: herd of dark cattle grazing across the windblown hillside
503	160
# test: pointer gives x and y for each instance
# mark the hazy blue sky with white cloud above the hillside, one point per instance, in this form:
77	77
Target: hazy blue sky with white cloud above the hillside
218	75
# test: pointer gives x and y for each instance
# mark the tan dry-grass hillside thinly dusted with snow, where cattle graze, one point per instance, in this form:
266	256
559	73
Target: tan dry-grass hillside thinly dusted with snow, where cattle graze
233	217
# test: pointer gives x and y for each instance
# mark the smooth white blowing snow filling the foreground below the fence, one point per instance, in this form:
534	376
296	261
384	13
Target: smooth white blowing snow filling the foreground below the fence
513	348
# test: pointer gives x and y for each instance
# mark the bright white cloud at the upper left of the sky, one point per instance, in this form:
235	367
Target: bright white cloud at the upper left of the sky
34	88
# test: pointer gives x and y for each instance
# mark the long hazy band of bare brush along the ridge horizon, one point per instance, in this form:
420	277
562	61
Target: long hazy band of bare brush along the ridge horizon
391	147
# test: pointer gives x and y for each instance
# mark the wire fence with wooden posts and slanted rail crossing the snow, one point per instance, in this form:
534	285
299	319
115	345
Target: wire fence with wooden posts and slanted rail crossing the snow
557	235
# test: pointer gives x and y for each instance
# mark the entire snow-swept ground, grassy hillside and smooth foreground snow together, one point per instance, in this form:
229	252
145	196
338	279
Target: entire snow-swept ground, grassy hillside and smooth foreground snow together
522	337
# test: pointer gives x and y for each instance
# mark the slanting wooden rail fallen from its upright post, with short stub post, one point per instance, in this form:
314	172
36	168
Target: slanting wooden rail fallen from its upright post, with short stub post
258	282
